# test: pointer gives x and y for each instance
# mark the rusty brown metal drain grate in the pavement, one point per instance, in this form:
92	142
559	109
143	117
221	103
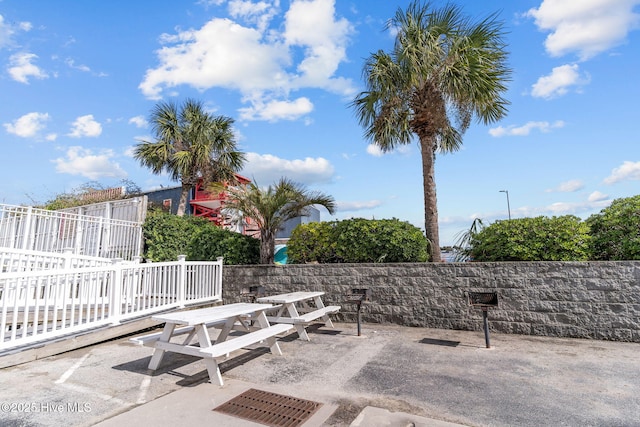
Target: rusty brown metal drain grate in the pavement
270	409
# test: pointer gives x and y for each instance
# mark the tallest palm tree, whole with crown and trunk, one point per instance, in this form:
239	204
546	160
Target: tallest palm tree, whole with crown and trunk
443	71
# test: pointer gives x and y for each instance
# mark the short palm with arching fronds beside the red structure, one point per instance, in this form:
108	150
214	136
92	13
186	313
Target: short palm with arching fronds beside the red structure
271	207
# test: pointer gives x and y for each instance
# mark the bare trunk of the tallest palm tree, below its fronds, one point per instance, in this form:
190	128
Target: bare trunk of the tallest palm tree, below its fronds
427	144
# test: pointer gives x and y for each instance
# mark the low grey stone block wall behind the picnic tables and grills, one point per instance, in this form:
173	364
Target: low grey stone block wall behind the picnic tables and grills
598	300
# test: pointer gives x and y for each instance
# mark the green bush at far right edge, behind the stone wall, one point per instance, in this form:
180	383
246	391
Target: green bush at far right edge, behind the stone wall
615	231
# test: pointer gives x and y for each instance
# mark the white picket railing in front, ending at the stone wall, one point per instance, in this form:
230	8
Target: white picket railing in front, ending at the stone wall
42	305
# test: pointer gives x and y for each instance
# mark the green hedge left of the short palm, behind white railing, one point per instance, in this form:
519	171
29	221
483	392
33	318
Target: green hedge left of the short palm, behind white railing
167	236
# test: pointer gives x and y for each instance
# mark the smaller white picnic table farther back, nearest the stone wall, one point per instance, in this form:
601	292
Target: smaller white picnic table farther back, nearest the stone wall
299	309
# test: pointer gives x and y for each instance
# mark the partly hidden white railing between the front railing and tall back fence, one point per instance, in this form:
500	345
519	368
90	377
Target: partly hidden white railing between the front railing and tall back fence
16	260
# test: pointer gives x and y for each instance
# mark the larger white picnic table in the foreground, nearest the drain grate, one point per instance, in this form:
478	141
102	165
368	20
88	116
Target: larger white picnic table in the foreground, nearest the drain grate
245	316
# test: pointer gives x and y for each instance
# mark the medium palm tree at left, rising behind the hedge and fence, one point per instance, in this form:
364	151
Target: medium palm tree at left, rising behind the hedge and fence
191	145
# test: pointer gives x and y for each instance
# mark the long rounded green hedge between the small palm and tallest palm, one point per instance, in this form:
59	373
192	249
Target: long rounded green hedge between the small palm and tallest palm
357	241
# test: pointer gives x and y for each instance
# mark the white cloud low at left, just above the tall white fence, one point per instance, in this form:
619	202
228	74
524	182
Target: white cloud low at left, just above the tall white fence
83	162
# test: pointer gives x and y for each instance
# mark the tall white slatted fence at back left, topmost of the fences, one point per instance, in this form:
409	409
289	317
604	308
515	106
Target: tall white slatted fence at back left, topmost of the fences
29	228
